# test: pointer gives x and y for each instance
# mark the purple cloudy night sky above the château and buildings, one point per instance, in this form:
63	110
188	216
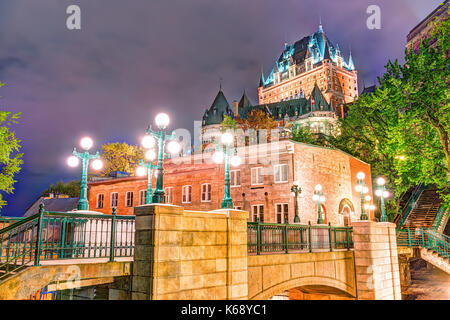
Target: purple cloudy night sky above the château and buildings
135	58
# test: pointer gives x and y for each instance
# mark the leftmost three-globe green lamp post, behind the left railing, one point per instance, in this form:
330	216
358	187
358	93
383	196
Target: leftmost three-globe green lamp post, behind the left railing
85	143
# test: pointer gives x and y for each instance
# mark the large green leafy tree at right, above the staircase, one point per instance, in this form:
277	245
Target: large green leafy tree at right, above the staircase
402	129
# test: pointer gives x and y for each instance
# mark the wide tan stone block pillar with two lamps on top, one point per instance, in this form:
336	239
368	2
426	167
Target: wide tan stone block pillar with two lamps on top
189	254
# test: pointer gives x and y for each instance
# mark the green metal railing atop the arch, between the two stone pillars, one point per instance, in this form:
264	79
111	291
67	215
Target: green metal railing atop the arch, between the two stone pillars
290	238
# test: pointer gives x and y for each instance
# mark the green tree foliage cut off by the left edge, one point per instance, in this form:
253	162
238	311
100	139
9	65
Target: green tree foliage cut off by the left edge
10	158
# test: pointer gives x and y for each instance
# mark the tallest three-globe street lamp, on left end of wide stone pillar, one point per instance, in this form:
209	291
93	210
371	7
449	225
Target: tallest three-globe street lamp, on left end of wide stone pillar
162	121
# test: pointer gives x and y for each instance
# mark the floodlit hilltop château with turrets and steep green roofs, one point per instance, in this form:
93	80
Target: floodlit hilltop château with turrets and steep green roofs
309	85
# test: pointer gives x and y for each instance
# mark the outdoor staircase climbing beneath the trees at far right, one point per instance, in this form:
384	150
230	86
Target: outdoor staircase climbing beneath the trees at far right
421	209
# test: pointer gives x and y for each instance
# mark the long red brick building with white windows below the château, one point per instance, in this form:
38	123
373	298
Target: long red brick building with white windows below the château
260	185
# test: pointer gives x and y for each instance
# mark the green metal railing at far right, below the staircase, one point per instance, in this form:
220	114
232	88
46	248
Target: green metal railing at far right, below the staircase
428	239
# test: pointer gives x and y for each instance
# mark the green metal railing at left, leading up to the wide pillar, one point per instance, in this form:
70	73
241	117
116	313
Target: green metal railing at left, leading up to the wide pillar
62	235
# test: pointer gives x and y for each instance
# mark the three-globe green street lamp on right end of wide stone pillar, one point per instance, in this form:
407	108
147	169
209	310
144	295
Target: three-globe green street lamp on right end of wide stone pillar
218	157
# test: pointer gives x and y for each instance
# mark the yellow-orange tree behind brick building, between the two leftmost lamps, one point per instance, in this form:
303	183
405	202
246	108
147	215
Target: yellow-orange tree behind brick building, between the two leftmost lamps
121	157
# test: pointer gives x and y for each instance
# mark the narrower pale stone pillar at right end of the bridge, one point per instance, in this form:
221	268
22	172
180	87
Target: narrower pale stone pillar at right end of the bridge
376	261
